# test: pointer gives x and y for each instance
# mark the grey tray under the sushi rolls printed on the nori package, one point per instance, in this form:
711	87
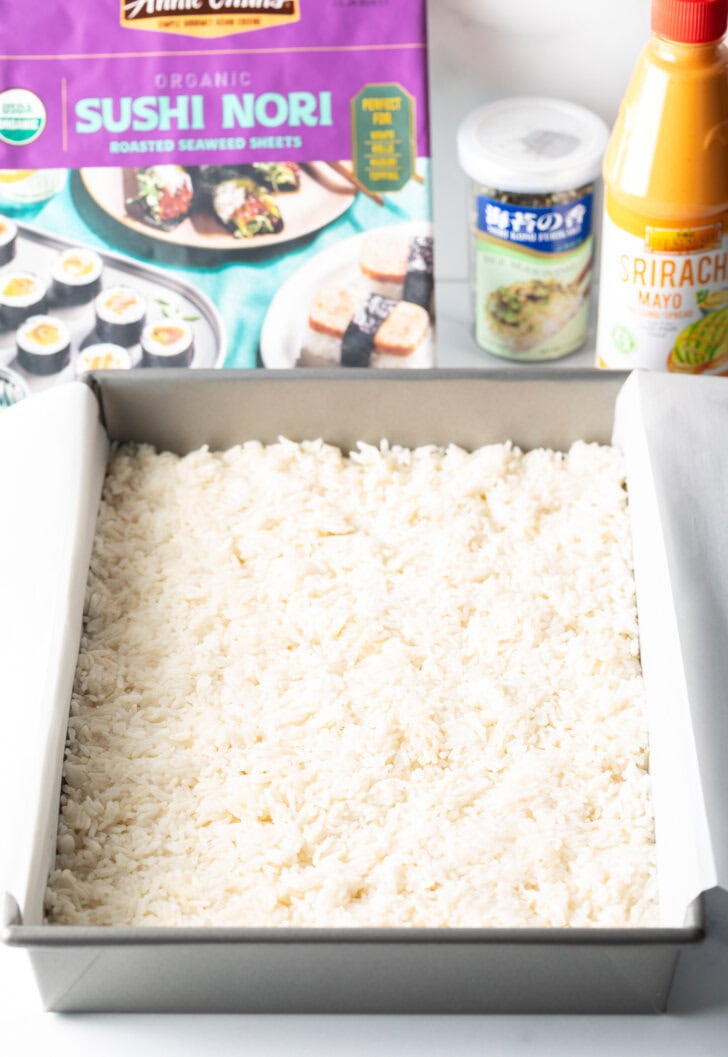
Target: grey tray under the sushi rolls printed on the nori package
165	294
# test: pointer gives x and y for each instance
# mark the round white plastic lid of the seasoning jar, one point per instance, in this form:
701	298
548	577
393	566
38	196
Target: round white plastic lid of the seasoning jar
532	145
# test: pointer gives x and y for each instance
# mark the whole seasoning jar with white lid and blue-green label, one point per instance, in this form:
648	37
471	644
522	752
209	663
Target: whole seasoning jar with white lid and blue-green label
532	165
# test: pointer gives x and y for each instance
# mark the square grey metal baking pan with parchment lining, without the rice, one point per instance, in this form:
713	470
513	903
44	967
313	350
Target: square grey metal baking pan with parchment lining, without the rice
61	442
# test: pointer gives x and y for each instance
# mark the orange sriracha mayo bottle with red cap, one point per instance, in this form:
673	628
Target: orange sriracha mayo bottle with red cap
664	288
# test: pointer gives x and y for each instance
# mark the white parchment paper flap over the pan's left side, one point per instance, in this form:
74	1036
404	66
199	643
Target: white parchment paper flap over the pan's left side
53	453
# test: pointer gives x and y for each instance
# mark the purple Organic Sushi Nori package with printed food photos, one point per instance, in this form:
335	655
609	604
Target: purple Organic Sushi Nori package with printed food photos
245	186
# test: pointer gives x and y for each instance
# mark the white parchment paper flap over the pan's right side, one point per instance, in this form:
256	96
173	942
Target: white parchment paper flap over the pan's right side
675	435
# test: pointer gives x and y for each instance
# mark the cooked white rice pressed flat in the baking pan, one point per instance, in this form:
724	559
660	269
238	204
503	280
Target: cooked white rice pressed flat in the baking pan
398	689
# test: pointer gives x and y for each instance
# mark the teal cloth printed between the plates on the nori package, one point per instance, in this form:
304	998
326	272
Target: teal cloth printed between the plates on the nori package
240	282
